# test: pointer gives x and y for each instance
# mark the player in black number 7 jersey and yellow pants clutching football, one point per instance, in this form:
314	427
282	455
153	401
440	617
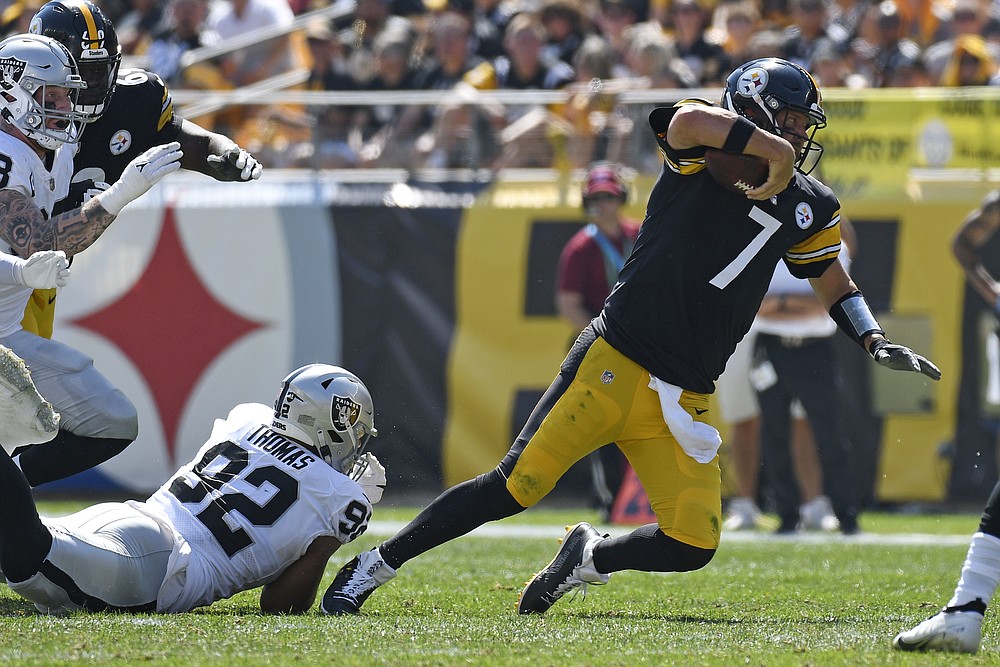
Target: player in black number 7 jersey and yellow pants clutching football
641	373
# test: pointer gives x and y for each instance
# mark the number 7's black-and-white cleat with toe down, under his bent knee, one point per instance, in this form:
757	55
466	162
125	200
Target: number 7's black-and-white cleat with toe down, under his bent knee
572	568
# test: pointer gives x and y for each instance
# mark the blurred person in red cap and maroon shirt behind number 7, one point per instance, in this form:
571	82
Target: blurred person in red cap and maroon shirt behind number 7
588	269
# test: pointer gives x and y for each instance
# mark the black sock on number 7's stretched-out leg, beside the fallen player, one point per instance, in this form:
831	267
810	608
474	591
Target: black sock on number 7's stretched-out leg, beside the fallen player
459	510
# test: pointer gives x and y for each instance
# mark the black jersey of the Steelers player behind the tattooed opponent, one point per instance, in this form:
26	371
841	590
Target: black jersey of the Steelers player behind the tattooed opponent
139	116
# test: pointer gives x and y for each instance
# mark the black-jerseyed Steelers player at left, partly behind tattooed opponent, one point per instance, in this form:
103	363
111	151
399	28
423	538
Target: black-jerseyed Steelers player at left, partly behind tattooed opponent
128	112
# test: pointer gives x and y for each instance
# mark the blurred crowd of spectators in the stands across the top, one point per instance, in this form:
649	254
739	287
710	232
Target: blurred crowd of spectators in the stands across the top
593	50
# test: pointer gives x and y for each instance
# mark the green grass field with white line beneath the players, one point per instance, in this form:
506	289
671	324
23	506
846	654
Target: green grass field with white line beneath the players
762	601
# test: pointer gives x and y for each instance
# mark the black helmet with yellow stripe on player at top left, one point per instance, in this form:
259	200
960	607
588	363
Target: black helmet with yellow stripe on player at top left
90	36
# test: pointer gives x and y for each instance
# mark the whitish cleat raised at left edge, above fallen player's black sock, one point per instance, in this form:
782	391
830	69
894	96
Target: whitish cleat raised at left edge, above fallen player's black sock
25	417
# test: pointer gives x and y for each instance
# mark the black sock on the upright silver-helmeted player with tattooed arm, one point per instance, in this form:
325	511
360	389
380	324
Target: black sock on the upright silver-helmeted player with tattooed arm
67	454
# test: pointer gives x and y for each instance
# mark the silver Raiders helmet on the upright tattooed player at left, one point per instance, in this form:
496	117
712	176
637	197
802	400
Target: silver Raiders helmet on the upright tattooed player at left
29	66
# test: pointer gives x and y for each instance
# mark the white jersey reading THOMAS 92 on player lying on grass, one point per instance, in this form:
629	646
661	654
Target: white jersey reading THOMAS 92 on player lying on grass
246	508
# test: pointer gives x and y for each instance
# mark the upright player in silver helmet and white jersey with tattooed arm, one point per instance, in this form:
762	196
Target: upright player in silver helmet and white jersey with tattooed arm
38	125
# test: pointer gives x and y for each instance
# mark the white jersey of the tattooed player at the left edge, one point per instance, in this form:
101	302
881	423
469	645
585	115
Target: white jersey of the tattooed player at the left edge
21	169
